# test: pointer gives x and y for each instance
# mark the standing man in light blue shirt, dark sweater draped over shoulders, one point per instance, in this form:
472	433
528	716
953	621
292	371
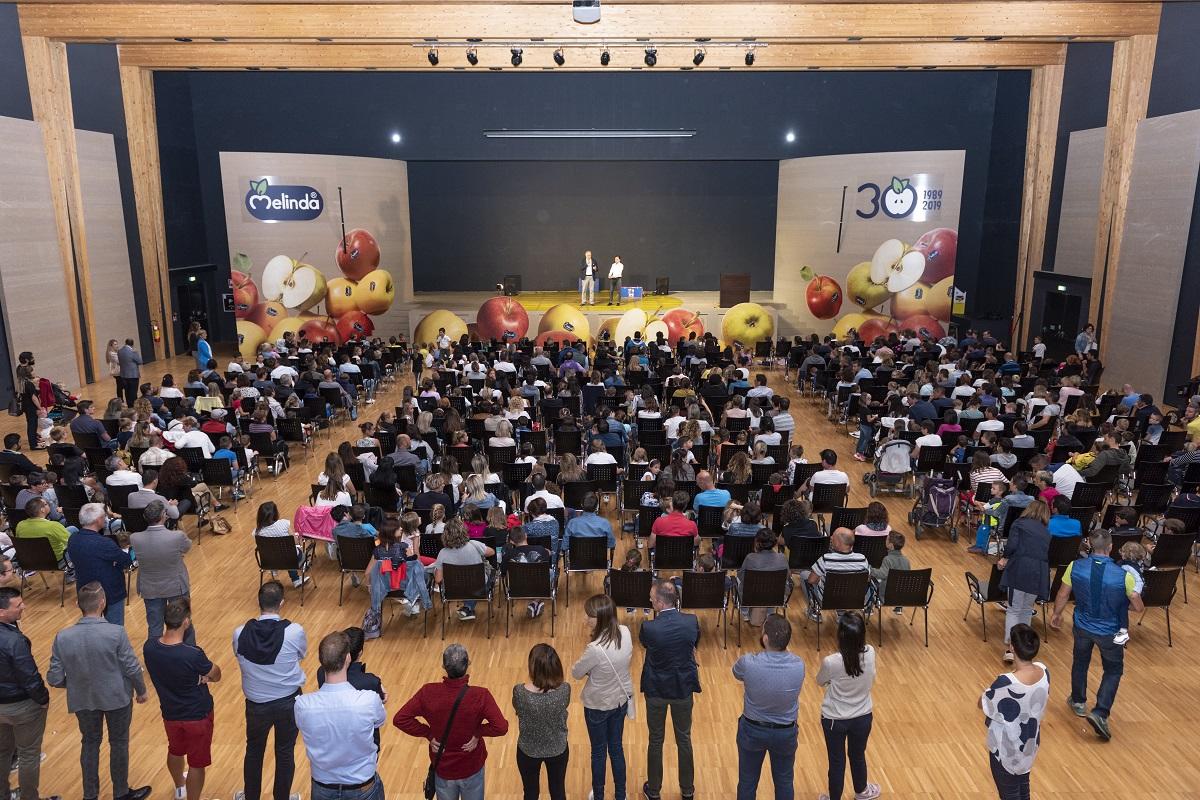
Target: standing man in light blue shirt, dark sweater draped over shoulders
269	653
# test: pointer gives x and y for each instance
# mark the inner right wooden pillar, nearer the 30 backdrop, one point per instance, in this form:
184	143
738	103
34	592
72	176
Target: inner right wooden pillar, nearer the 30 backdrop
1042	136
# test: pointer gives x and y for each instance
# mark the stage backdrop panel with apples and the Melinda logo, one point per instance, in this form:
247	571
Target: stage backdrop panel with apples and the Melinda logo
290	266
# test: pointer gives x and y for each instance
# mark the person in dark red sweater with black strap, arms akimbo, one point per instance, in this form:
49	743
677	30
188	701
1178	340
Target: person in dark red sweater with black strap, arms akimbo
457	720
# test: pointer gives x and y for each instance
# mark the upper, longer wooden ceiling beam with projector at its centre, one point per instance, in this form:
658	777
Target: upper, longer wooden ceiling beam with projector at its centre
505	22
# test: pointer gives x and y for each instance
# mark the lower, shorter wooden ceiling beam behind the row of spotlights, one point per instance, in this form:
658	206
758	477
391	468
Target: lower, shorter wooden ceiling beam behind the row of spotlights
964	56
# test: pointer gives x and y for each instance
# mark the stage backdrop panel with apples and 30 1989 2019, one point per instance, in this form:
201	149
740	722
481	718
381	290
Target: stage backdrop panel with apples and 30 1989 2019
868	242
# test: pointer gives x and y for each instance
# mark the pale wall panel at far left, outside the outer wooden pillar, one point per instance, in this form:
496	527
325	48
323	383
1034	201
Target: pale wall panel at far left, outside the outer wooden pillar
33	287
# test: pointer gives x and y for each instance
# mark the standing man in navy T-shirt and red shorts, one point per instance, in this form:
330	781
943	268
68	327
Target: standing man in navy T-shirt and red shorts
182	675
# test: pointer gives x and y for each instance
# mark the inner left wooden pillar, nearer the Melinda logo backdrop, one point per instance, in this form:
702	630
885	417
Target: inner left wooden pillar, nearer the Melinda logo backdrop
137	91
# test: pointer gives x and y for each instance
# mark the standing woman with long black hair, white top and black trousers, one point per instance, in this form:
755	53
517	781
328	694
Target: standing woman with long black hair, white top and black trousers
847	712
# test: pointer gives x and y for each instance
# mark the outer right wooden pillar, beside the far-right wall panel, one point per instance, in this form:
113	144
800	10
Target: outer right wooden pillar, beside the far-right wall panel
1133	64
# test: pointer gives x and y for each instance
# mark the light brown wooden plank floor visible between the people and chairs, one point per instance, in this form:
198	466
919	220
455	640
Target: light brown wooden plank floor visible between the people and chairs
928	739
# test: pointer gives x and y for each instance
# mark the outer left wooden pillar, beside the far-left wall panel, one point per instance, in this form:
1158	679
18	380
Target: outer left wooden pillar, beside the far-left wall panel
50	91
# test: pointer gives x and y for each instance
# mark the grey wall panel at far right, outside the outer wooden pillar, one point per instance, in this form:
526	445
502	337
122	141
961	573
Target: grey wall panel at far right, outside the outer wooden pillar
1145	294
